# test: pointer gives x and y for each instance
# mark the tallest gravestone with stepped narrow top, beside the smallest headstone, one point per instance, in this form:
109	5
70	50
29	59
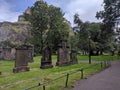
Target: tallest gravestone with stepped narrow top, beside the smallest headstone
63	55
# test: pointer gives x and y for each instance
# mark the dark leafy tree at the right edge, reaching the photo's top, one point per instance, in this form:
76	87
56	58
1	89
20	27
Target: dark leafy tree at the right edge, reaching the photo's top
109	16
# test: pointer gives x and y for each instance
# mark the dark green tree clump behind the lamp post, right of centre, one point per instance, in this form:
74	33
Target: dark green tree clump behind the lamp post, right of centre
86	29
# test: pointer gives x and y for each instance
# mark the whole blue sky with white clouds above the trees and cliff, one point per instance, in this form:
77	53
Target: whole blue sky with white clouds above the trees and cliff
11	9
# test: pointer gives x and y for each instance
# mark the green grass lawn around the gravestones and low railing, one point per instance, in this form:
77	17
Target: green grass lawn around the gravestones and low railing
20	81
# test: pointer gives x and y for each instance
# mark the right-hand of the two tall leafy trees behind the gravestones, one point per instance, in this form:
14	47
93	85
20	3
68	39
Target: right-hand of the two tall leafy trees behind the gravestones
59	29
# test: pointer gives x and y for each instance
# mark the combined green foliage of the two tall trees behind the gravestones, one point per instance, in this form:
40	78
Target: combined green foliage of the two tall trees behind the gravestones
47	25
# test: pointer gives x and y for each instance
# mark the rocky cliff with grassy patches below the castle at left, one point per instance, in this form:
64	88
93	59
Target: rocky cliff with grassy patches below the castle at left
13	33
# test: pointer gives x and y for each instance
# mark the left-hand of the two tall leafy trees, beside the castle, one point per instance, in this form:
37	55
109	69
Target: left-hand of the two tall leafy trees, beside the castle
39	21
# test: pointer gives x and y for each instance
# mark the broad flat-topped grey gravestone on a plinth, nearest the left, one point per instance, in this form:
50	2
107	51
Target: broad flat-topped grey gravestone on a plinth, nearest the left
21	59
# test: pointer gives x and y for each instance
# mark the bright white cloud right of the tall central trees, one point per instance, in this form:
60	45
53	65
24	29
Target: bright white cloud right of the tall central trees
85	8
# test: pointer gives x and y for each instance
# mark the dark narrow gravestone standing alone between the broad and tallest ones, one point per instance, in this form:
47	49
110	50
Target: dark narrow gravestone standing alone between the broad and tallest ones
46	61
